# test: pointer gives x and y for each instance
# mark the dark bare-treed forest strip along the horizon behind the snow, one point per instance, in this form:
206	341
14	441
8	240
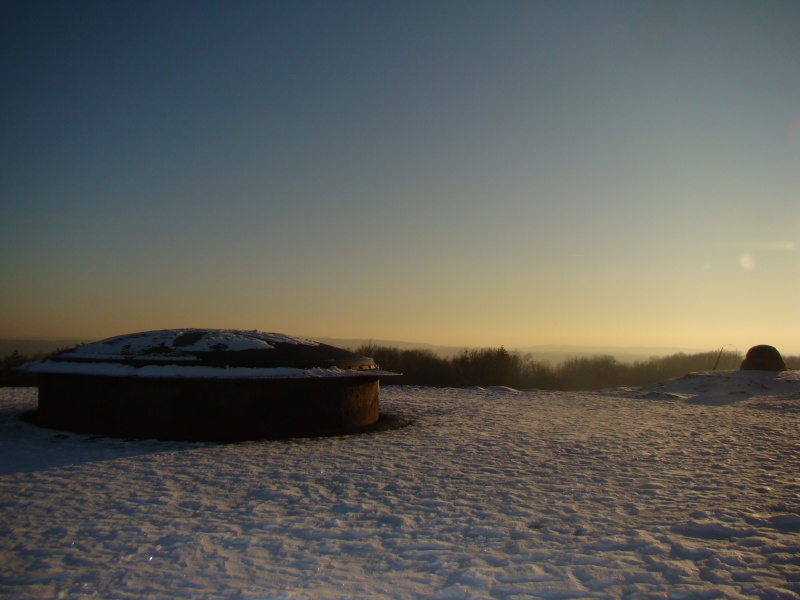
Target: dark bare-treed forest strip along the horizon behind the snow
499	367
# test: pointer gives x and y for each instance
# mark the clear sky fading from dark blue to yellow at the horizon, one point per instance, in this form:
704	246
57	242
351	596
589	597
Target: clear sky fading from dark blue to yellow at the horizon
470	173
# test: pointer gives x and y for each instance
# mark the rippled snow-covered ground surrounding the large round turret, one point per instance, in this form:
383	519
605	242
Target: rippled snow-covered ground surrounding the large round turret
685	489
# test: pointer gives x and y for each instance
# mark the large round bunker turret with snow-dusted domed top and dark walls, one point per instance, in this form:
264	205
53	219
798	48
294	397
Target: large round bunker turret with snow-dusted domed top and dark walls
207	384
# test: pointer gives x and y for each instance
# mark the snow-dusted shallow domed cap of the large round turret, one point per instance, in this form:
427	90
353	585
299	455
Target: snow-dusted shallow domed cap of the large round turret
207	353
